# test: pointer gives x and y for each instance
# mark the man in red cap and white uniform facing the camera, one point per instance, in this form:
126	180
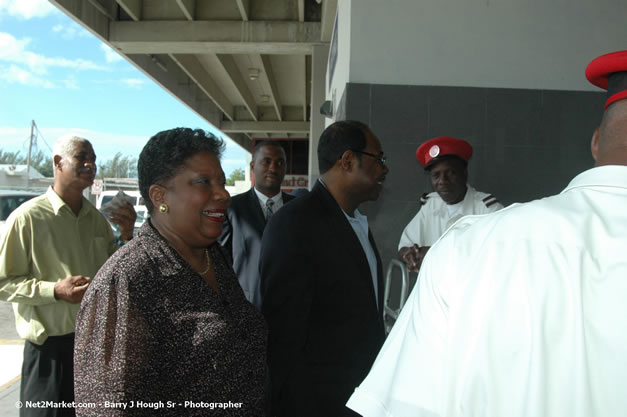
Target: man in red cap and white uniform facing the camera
446	161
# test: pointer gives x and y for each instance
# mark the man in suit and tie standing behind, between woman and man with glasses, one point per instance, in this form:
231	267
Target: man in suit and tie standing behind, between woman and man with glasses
246	217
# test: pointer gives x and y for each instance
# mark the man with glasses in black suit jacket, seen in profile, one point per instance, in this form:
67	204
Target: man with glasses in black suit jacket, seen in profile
321	280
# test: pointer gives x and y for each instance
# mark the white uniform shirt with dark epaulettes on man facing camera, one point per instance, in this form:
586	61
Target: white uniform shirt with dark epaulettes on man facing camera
433	218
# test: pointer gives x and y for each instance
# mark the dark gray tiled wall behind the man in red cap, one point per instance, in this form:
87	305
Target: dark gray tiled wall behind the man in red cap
528	144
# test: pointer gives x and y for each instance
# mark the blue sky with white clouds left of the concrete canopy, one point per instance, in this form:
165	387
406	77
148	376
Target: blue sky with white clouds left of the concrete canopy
64	78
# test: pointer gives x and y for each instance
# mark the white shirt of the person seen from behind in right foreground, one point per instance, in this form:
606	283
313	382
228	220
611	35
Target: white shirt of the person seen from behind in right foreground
520	313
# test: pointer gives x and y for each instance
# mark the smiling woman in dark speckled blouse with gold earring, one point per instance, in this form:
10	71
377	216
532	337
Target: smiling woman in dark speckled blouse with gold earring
165	318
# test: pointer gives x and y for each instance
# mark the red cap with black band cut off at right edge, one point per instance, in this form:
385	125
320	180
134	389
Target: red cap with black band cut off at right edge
609	72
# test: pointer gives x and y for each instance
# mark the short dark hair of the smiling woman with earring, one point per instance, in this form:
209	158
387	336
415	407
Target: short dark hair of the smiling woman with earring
166	152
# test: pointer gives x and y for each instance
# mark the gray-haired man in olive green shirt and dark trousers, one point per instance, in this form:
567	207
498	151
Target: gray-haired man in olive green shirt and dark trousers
52	247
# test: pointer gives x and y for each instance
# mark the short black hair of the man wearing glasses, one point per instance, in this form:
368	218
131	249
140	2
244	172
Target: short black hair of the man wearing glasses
338	138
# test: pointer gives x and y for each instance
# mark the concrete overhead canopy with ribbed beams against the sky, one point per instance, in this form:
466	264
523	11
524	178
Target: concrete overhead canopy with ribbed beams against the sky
242	65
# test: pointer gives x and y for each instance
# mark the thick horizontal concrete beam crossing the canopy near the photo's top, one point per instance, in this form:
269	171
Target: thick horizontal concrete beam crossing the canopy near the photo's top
221	37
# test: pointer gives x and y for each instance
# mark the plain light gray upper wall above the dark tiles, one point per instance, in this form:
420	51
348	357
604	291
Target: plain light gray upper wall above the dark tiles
481	43
